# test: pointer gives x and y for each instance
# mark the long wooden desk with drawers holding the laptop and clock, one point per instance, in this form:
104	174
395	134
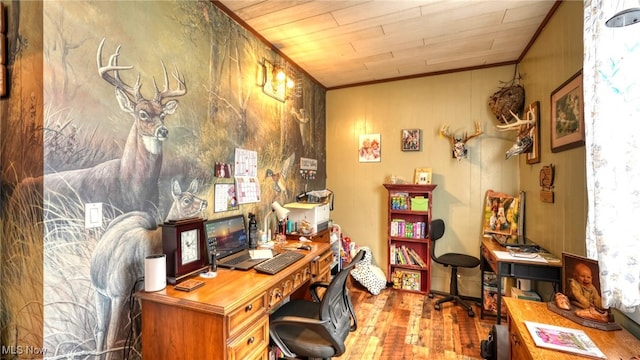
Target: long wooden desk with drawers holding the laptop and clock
228	317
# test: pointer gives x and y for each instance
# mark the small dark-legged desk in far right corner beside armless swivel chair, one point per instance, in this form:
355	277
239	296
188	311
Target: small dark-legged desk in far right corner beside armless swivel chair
514	268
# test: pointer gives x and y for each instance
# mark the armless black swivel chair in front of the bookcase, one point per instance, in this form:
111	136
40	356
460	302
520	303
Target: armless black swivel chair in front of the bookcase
454	260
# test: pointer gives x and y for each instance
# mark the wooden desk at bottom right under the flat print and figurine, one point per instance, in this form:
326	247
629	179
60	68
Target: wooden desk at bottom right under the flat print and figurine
614	344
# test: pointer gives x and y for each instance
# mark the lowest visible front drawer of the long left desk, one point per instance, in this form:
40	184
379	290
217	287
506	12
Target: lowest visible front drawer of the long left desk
251	344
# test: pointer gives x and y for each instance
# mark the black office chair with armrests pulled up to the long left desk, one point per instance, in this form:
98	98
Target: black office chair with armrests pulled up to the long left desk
316	329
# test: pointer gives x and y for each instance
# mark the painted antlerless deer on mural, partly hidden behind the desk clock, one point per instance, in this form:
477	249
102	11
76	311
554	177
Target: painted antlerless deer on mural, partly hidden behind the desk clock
118	261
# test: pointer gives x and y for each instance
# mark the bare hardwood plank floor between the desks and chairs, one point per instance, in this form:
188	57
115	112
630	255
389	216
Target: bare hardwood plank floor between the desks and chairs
401	325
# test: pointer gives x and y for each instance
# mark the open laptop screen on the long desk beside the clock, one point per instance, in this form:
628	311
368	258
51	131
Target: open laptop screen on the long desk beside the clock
229	234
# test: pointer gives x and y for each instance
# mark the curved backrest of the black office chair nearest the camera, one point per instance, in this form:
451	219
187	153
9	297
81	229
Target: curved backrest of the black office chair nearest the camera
335	306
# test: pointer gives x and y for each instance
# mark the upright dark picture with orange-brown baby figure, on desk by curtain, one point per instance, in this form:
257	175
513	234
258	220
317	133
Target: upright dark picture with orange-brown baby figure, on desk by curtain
581	280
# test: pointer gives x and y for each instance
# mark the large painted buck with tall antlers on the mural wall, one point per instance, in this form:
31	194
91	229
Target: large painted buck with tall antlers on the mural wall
130	182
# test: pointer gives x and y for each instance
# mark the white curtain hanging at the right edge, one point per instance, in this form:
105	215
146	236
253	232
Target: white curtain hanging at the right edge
611	78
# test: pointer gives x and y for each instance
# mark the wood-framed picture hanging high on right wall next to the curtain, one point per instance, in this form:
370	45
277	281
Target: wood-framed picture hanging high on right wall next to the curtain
567	115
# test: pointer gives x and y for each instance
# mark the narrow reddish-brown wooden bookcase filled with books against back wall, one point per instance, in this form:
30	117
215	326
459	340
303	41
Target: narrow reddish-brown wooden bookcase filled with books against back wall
409	217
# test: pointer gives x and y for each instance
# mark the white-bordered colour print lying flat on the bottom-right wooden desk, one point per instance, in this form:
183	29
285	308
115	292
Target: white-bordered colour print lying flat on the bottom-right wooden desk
559	338
